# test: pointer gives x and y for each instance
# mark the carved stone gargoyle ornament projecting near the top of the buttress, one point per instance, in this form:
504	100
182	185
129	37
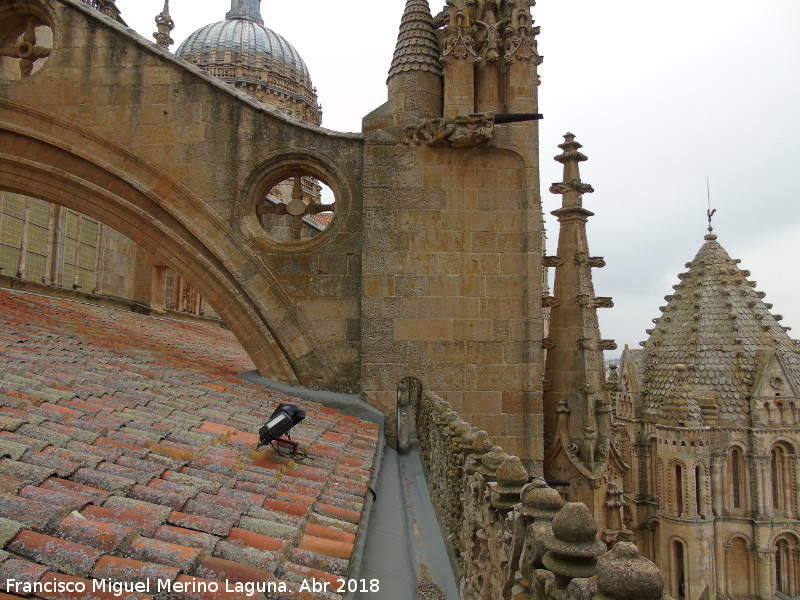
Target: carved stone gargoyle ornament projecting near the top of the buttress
456	132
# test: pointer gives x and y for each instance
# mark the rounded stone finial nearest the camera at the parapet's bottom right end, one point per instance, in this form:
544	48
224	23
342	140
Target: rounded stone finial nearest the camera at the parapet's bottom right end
623	574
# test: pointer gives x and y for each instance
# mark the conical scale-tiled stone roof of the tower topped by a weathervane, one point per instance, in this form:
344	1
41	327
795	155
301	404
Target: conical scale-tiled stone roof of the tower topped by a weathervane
717	324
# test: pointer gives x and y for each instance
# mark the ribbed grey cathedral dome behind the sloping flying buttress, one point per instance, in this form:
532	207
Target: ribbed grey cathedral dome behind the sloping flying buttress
244	53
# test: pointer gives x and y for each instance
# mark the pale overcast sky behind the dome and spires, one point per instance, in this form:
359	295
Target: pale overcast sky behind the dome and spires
661	95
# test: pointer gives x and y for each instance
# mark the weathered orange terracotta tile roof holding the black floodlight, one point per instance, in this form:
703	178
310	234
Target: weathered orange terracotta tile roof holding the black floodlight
128	450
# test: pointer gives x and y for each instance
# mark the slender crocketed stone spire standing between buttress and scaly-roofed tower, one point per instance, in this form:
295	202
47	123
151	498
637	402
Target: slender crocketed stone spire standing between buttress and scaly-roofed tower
574	398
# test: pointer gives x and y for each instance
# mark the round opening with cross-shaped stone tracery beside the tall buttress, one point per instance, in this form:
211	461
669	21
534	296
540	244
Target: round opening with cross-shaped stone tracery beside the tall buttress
296	209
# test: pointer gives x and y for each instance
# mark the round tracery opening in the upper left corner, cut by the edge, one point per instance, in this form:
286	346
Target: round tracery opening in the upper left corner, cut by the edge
26	40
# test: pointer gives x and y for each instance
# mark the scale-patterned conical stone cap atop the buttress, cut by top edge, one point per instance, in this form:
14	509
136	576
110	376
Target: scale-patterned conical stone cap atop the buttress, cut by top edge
417	48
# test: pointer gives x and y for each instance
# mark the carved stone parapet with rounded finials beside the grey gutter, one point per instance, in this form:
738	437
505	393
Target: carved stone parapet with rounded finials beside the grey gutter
511	536
